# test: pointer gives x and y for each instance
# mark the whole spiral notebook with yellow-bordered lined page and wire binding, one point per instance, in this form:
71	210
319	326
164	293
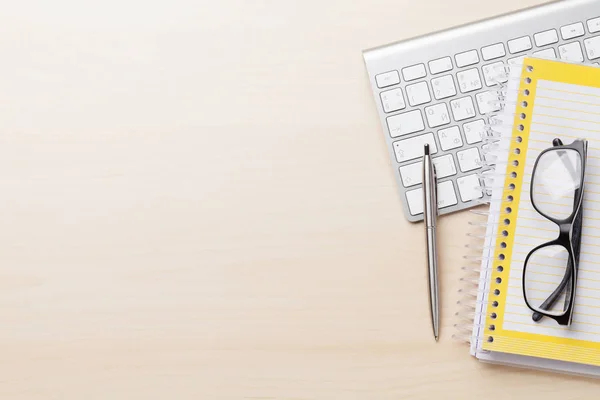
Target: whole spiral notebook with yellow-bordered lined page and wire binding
541	100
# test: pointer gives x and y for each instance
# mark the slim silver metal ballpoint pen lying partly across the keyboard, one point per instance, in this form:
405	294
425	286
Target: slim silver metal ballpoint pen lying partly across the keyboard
430	213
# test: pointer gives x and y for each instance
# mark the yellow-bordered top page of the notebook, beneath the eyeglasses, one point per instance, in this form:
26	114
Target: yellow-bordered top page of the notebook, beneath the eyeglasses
556	100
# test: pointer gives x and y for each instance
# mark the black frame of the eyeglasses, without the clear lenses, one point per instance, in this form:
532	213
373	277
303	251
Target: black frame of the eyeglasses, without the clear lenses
569	238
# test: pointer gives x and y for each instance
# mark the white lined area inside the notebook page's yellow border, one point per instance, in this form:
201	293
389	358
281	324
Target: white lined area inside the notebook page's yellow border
568	112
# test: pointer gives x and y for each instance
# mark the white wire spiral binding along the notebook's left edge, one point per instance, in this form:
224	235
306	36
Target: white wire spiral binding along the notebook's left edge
471	298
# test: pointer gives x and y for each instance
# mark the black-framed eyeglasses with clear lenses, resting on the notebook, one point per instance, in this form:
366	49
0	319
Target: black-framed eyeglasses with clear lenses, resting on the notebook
550	270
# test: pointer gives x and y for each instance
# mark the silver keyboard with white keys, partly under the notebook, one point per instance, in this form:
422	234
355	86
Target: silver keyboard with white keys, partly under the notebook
437	89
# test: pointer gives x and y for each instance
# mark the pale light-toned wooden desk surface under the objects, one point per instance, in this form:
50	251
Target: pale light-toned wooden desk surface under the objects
197	203
